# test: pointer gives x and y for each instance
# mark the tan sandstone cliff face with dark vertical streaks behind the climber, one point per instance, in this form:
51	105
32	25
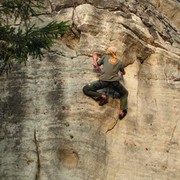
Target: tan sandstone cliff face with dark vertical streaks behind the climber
50	130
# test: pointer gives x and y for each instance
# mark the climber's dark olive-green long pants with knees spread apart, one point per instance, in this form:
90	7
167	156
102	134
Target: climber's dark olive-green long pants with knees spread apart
91	90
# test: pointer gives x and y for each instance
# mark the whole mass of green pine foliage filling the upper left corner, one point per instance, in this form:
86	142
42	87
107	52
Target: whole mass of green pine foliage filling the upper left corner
19	38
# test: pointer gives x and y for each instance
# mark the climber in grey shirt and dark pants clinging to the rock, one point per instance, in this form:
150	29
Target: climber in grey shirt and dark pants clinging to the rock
108	78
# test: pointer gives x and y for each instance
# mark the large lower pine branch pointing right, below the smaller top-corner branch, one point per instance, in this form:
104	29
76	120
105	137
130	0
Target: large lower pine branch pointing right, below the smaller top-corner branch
18	45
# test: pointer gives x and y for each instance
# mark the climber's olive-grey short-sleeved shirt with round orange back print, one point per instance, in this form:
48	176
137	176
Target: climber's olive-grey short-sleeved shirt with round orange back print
111	67
